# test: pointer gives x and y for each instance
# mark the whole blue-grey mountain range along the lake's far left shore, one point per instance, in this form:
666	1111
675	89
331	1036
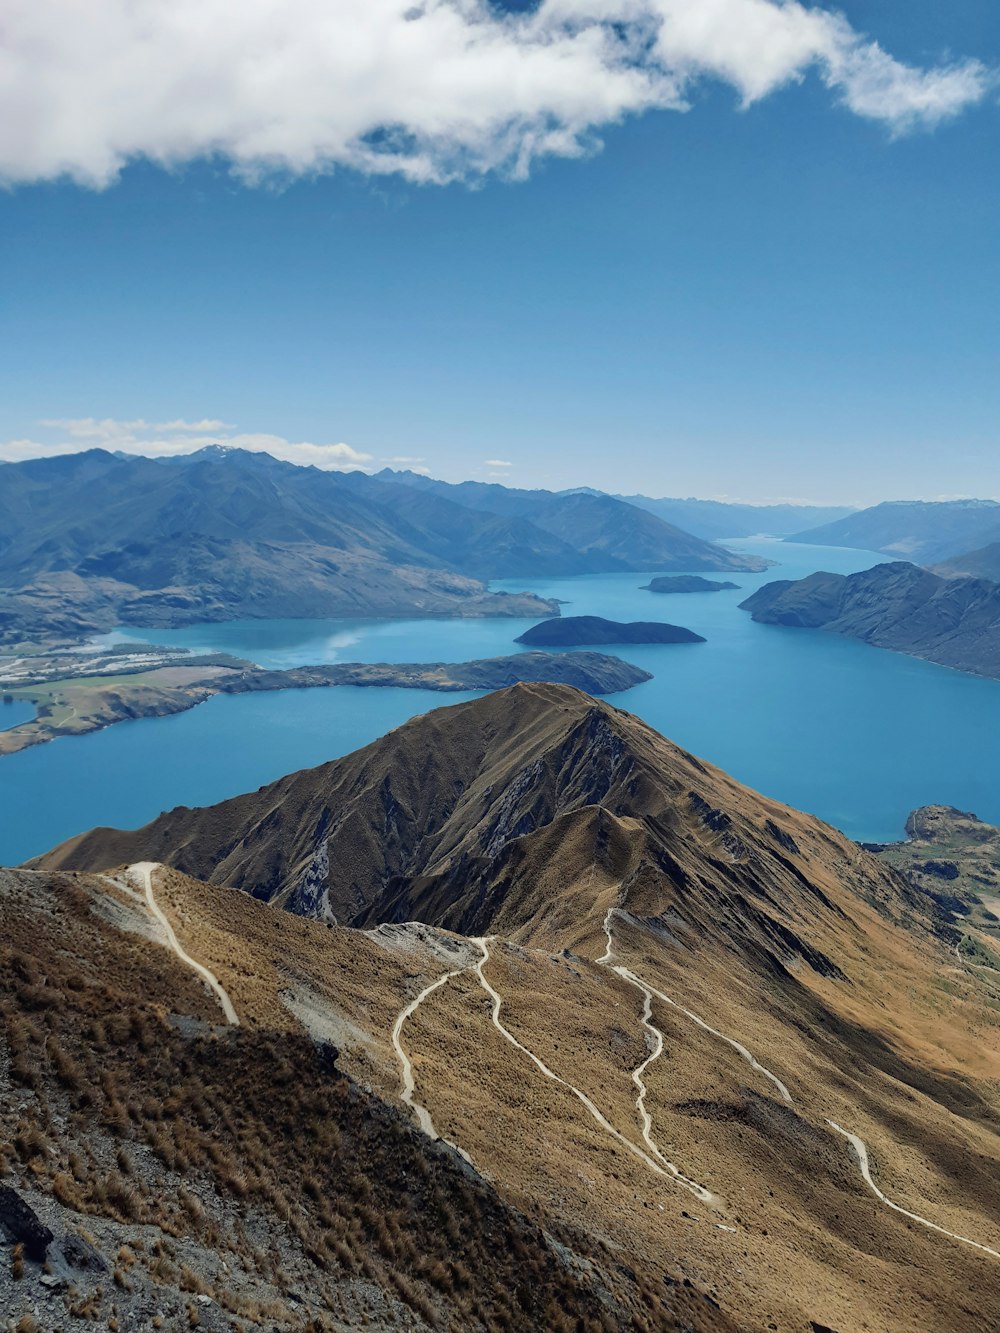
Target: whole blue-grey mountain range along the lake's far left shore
95	539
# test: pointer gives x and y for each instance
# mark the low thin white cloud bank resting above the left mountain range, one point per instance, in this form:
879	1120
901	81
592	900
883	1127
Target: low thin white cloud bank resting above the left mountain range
167	439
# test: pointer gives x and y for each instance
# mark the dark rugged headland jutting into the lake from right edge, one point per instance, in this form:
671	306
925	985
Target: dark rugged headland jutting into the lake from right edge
953	622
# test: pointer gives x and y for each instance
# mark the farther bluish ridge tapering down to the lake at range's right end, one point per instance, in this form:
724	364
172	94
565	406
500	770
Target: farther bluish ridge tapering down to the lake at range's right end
610	534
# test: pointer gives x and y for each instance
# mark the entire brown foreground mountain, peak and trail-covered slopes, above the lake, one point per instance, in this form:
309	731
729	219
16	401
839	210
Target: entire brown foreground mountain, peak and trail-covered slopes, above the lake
703	1042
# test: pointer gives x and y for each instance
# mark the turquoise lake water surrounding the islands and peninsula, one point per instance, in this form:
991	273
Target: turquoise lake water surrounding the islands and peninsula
853	734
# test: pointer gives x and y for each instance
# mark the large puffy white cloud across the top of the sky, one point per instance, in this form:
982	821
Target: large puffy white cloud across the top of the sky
431	90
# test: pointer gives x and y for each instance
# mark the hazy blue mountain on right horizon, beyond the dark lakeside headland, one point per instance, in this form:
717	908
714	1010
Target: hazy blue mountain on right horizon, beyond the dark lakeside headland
922	531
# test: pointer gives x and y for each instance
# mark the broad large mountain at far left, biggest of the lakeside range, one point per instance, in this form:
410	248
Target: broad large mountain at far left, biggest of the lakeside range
97	541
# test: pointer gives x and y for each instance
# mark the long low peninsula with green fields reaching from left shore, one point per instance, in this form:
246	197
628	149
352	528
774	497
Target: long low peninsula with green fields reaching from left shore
85	692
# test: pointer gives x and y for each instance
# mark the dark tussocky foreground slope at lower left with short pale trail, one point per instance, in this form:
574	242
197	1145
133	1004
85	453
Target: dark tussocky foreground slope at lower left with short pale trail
179	1155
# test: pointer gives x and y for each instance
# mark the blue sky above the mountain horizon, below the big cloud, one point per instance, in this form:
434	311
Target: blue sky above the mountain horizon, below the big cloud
791	299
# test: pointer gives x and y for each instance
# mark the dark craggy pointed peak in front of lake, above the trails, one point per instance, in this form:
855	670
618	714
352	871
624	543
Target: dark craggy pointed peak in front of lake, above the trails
458	816
